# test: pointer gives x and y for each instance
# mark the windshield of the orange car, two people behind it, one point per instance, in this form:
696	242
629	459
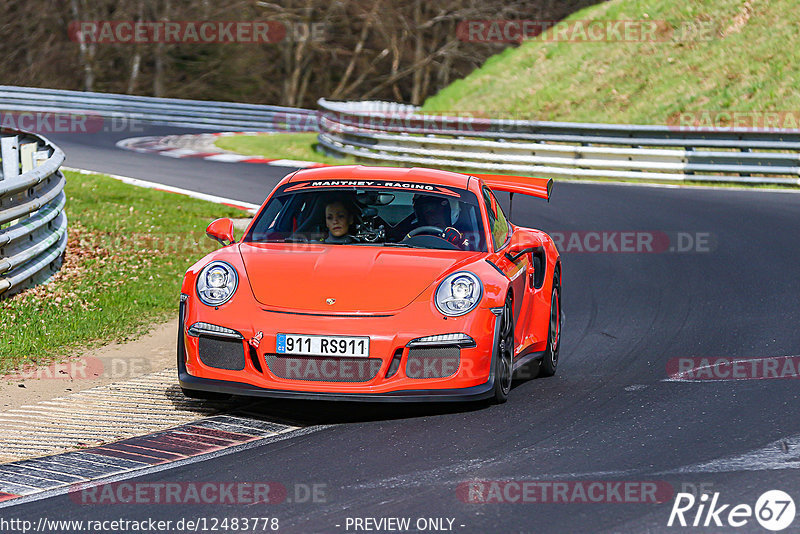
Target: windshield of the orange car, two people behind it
394	214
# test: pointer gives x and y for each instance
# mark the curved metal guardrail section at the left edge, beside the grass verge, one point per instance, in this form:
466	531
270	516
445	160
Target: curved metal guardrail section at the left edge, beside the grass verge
33	226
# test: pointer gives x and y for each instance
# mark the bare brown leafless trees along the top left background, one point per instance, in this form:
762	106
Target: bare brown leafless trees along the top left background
403	50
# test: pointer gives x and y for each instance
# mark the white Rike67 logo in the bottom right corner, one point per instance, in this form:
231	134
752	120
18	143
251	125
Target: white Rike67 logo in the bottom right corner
774	510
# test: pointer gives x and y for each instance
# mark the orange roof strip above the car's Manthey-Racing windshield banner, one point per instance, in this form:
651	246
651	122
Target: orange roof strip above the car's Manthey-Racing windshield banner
361	172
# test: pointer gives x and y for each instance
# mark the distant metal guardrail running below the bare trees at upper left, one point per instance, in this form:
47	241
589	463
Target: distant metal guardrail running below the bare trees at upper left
169	111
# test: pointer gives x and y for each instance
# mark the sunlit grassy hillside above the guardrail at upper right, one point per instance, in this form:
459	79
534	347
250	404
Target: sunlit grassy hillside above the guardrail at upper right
746	61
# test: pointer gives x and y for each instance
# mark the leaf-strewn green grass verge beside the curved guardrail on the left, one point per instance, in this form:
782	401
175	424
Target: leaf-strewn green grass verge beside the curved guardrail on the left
127	251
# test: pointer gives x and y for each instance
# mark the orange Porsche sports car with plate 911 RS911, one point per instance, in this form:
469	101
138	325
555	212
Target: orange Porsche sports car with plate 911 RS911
373	284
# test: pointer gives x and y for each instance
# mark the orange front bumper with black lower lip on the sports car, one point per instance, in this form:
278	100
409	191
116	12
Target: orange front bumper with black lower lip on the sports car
471	382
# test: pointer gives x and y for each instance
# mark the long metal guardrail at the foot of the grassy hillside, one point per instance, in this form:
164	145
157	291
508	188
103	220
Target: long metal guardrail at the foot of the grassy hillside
401	134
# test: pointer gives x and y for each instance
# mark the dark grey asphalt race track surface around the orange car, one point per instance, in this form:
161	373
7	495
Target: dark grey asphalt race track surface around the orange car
608	415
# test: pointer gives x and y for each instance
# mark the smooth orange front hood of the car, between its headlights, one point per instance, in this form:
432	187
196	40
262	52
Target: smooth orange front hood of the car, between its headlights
361	279
